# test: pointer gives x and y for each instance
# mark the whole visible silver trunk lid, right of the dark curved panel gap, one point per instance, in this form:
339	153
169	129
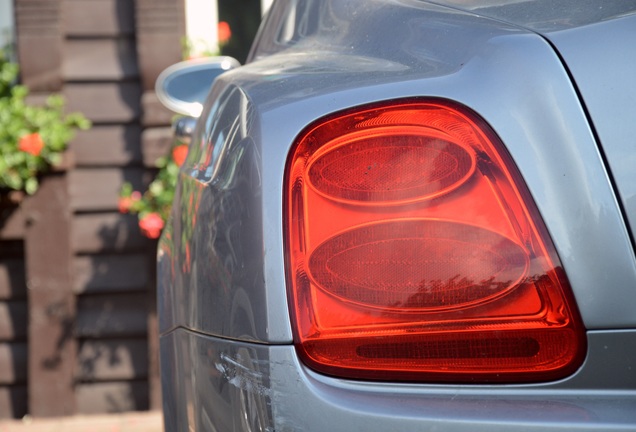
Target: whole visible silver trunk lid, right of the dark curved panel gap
592	38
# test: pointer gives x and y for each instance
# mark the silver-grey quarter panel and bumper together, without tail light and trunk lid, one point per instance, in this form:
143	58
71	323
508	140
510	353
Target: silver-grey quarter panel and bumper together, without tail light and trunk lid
233	296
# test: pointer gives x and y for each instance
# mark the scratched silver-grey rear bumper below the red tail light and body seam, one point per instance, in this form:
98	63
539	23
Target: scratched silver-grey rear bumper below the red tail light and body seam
218	384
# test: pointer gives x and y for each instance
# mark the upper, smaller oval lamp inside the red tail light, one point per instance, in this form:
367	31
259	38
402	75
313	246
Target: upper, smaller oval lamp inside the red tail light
429	165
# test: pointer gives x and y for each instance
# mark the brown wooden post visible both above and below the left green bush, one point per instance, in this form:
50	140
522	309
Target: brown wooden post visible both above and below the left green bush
51	343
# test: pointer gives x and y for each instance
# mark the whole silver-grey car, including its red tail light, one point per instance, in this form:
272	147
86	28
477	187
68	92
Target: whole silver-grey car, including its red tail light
407	215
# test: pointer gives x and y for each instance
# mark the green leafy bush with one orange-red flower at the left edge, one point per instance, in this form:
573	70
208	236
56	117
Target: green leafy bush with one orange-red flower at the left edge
32	138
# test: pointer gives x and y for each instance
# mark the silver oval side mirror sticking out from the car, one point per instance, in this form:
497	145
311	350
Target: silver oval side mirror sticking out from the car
184	86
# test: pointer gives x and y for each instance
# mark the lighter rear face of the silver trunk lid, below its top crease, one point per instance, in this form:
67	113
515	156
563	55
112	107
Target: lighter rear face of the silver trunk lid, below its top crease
609	94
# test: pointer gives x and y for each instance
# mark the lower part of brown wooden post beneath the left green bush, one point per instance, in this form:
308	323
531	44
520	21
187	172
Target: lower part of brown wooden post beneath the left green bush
51	343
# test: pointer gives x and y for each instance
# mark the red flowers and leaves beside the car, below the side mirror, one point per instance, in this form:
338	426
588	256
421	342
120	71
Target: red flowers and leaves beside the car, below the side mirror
153	206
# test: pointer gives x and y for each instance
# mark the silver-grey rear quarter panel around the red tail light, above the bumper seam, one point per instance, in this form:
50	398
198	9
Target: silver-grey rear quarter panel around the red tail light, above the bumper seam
226	250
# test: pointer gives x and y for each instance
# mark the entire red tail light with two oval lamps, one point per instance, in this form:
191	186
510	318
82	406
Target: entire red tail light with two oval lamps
415	253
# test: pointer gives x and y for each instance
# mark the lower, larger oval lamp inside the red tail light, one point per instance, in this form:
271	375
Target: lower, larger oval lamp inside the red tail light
417	264
